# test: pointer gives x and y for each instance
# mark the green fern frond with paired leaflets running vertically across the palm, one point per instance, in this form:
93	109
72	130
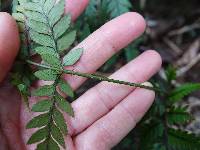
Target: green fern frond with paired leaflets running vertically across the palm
49	32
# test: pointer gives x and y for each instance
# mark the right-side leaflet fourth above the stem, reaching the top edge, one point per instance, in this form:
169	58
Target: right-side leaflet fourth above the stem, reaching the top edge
56	12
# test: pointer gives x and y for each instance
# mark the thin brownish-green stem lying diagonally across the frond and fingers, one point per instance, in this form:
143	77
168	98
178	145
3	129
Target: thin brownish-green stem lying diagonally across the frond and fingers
96	77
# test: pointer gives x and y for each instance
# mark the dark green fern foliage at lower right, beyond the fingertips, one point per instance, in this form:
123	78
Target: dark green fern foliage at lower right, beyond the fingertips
163	126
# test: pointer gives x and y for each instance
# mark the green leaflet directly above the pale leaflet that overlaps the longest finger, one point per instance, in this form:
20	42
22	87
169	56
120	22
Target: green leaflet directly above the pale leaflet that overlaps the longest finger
66	41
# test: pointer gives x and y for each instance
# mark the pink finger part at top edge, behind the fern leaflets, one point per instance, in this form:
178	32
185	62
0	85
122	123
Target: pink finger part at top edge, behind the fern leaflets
76	7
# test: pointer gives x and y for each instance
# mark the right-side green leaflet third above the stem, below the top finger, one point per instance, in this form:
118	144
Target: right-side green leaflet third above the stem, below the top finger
62	26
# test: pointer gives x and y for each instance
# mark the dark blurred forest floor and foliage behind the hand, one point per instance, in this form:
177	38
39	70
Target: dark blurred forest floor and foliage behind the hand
173	29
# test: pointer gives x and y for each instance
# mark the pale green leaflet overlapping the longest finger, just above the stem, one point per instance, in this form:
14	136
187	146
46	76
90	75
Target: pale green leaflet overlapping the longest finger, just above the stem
72	57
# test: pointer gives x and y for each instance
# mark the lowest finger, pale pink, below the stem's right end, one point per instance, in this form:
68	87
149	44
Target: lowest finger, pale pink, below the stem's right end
109	130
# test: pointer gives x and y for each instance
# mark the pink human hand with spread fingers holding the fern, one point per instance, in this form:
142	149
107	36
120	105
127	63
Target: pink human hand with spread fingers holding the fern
105	113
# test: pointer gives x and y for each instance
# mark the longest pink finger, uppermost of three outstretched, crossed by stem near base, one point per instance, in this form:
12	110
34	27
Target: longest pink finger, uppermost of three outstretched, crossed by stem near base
105	42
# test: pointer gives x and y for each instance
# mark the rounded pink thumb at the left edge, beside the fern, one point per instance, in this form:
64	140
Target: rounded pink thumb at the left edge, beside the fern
9	43
